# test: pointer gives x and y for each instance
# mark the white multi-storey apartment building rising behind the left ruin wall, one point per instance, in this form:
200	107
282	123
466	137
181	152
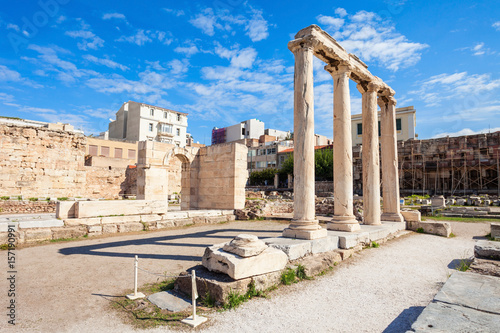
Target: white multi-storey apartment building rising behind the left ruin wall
139	121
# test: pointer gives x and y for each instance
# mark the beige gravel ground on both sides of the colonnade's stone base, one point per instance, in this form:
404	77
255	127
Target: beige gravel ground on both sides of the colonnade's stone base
66	287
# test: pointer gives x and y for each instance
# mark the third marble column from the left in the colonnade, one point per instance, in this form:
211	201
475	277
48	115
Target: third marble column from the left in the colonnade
370	157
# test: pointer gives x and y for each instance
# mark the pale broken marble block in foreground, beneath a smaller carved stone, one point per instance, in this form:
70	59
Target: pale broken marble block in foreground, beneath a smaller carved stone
217	260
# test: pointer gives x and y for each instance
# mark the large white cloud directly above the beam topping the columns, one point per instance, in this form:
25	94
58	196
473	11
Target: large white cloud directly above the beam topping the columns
372	39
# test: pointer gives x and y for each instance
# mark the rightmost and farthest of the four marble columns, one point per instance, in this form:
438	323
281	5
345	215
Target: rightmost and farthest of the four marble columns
388	146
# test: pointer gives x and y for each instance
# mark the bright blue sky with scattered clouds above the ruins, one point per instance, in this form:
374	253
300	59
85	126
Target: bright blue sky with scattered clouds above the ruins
225	61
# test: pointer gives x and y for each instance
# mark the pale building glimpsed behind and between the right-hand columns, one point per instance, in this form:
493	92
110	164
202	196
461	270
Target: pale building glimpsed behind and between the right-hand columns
405	125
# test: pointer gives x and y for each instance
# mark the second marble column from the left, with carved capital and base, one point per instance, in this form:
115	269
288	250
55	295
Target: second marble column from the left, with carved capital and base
343	219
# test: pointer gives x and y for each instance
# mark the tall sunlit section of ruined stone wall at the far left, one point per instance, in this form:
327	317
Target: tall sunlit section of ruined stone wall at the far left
37	162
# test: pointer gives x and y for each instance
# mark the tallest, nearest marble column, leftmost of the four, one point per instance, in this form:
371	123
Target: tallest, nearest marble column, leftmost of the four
304	224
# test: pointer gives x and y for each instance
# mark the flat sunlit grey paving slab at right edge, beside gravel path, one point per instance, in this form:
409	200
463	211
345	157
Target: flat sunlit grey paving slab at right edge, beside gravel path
472	290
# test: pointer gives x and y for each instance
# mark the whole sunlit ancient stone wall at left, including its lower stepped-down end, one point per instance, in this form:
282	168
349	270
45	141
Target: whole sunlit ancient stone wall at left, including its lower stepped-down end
38	162
